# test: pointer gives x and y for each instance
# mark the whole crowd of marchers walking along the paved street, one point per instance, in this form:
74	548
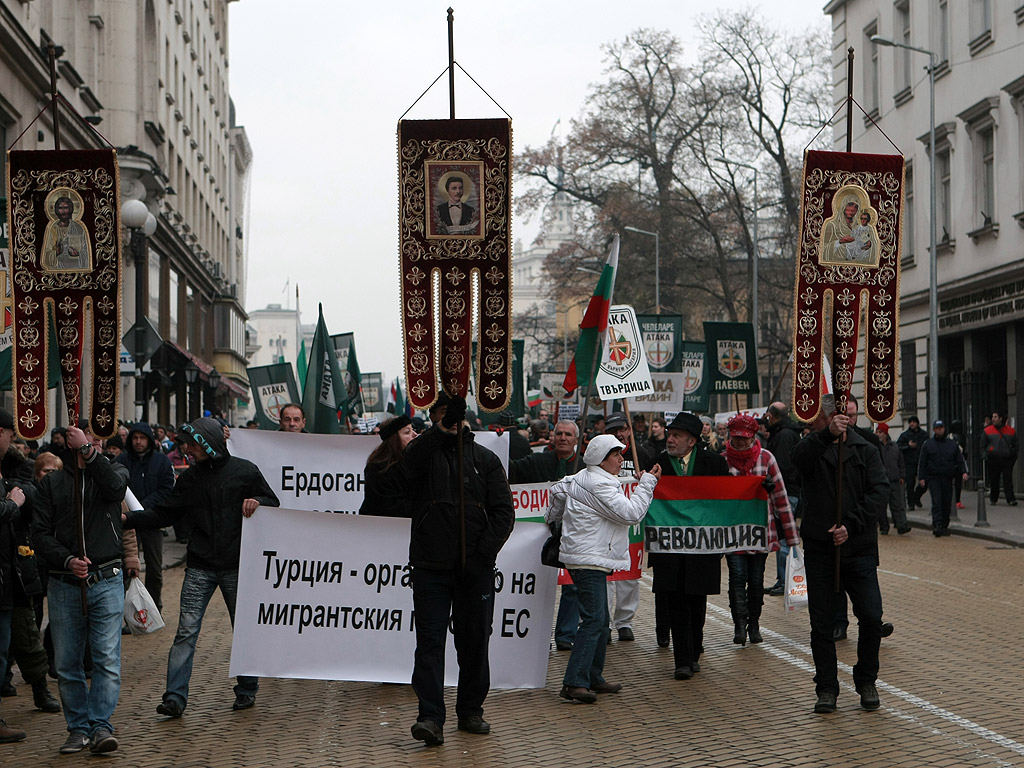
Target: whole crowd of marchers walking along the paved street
186	481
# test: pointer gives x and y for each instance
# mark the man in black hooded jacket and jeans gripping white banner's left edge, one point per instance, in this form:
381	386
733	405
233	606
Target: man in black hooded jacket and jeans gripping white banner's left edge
217	493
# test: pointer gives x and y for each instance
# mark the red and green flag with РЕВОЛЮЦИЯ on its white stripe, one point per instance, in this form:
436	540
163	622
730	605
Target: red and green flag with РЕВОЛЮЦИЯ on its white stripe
708	516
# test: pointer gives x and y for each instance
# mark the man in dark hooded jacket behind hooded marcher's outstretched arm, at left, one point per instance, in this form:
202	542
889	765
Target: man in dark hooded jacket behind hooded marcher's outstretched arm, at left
151	480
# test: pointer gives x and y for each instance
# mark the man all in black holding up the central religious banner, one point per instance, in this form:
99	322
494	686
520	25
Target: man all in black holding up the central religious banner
454	566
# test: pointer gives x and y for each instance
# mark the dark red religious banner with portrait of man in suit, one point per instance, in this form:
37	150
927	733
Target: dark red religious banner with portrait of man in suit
455	225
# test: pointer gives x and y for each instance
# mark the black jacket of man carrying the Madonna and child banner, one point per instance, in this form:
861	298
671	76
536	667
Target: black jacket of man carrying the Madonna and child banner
865	495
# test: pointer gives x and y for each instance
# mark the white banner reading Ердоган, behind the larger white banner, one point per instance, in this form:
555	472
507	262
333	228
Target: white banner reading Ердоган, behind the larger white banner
323	473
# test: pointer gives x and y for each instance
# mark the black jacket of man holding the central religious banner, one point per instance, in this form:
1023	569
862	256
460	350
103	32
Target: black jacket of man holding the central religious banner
433	464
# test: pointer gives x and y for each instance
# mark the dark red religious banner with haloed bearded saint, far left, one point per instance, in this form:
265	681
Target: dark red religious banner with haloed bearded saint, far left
65	251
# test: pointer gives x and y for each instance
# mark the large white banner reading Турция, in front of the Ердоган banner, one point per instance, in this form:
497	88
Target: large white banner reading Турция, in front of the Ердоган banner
328	598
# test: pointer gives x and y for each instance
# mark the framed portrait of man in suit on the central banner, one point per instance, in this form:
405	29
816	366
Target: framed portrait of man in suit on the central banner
454	194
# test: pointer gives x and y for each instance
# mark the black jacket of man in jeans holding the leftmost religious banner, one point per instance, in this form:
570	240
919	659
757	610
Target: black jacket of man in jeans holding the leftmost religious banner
55	533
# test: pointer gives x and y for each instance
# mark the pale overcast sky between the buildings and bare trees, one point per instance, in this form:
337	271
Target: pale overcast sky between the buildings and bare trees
320	92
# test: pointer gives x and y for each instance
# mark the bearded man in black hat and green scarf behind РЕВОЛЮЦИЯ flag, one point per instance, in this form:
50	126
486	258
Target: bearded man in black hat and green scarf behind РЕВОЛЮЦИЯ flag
682	583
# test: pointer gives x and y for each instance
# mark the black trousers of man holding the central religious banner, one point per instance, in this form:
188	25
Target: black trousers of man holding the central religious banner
467	598
